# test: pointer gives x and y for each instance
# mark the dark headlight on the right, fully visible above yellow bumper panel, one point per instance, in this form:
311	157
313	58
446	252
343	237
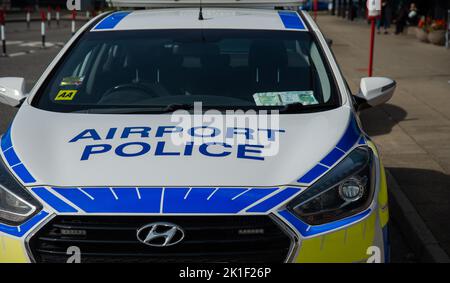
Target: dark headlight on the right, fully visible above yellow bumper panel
344	191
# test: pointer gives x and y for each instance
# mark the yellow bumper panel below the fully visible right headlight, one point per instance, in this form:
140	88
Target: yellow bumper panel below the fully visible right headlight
346	245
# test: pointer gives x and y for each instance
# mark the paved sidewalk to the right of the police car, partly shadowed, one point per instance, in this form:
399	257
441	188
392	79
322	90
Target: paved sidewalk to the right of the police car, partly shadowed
413	129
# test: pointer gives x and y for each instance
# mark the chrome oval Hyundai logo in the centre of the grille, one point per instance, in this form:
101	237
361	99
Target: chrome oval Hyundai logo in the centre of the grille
160	234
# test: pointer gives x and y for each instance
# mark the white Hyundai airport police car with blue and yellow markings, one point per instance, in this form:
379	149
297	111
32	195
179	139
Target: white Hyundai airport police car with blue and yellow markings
109	157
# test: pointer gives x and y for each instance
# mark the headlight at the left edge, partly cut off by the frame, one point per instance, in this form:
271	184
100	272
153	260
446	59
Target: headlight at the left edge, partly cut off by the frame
16	204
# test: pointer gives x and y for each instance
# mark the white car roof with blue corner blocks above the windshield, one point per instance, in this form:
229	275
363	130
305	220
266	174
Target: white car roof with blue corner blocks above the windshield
214	18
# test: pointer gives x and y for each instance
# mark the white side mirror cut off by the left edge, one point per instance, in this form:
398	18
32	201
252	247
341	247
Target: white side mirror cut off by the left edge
12	91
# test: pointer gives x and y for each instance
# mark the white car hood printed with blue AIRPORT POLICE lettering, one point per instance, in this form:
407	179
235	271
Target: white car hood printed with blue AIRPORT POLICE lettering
51	146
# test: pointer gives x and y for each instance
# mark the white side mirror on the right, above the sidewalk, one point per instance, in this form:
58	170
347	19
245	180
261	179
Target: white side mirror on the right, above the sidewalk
374	91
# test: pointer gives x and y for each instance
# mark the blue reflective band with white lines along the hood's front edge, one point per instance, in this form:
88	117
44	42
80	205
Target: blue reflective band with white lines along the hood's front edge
165	200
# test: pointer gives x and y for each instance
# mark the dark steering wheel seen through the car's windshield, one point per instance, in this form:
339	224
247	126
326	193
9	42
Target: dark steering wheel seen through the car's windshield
127	93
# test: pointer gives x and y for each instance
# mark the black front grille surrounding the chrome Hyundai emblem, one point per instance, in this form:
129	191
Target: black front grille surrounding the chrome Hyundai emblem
207	239
